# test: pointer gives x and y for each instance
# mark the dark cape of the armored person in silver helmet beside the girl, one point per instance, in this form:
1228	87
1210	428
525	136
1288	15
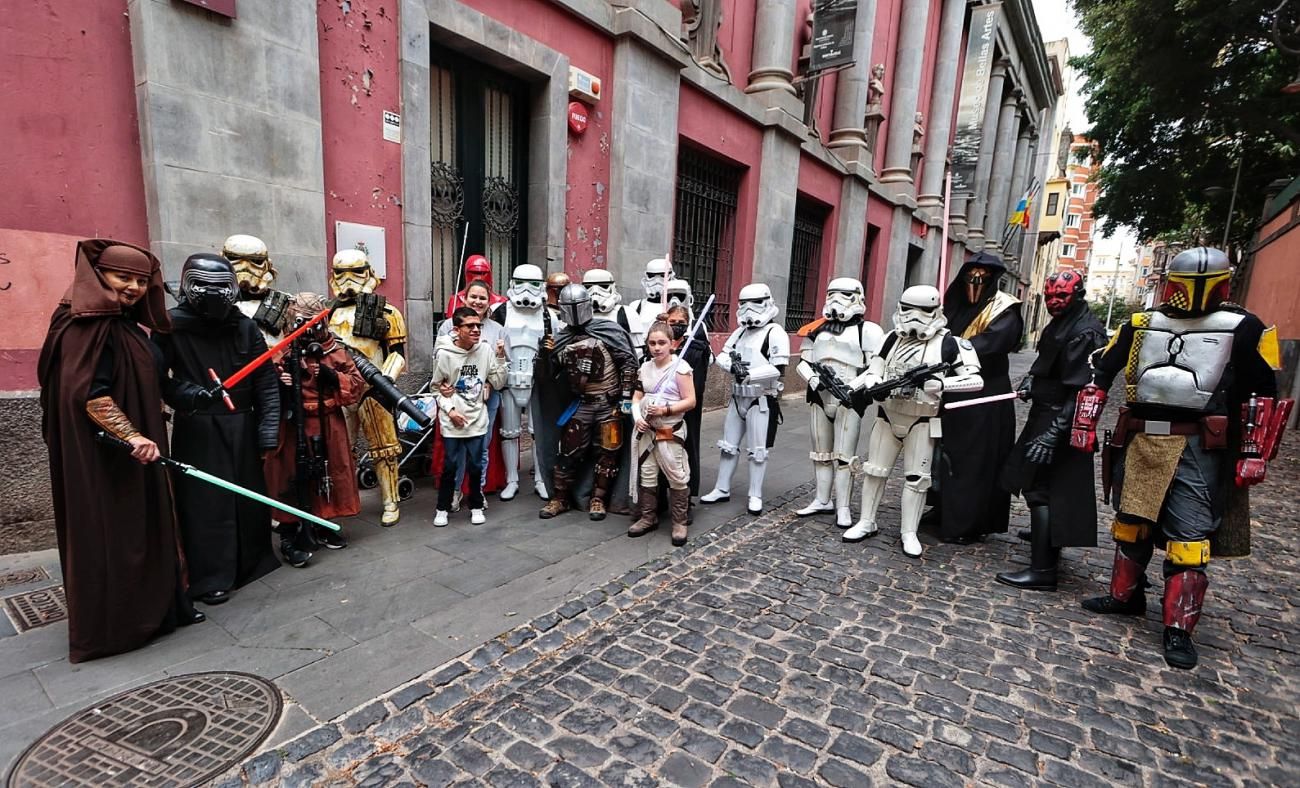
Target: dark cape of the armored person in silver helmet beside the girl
552	396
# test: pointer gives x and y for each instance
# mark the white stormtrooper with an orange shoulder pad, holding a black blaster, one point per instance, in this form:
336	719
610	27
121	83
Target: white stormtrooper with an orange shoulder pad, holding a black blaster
842	344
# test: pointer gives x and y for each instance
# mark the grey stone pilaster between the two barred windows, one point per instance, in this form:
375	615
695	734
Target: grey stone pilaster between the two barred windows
774	233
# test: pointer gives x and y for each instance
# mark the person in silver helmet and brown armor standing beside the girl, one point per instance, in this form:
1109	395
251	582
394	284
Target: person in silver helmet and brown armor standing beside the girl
597	363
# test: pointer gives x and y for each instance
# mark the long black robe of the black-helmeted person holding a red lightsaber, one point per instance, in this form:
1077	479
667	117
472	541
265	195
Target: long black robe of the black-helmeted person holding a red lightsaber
227	536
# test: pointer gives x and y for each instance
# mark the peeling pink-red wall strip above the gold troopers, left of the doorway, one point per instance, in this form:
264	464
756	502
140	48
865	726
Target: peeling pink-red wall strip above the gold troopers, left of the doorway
361	79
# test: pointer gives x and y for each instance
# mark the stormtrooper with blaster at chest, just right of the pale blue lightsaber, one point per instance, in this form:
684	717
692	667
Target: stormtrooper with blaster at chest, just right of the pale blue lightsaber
762	350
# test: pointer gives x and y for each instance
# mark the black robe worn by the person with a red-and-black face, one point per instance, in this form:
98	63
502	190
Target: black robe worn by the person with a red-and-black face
1068	484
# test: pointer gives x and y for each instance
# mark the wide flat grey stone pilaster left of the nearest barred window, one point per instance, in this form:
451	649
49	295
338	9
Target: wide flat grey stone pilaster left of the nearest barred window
642	172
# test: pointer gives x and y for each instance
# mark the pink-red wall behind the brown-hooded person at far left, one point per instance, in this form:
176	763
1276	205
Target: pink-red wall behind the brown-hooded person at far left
72	159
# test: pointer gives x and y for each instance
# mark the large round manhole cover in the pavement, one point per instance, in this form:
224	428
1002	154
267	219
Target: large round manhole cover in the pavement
180	731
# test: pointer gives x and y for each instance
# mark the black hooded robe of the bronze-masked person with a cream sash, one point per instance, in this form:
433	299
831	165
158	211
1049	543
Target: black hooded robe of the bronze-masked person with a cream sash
978	440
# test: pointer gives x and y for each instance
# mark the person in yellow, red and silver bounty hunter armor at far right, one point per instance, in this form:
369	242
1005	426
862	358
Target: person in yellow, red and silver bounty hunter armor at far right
1197	371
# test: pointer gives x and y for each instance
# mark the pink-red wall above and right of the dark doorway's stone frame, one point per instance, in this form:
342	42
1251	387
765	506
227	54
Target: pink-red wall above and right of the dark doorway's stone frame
587	209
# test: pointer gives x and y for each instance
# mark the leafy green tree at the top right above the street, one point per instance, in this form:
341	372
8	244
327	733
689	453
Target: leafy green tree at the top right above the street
1178	93
